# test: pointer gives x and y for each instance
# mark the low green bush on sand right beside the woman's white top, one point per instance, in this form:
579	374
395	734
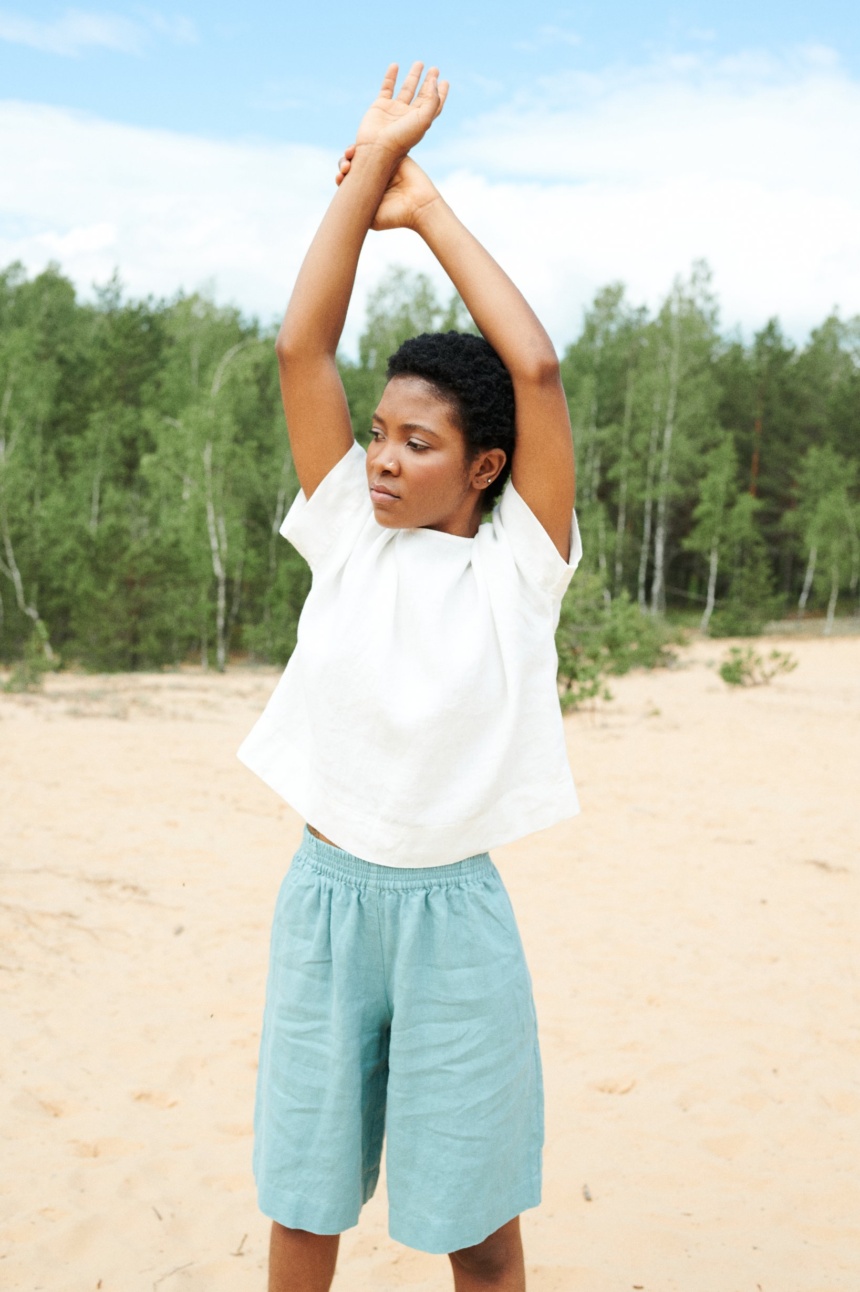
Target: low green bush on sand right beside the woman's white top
599	638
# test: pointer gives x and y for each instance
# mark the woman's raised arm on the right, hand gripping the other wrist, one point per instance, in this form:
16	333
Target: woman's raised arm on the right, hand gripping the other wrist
543	468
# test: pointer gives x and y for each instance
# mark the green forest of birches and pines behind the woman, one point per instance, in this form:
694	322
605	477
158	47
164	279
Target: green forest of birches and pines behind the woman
145	471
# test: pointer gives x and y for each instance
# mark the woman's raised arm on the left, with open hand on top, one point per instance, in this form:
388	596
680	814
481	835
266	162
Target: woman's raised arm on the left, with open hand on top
314	401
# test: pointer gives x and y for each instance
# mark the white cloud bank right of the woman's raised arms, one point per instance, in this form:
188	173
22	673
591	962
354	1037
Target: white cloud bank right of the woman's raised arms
747	162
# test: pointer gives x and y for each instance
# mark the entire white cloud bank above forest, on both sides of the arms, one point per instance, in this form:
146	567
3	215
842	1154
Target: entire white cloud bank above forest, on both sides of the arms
630	176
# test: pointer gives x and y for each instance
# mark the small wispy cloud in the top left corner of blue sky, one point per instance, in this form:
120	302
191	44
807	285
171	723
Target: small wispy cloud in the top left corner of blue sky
77	30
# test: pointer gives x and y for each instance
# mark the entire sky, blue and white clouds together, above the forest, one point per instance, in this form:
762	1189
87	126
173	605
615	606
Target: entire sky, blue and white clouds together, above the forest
196	147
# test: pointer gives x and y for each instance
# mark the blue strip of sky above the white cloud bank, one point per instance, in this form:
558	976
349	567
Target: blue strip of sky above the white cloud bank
299	72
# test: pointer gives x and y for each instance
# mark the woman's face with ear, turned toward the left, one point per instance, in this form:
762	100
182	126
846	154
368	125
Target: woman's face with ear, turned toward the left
418	470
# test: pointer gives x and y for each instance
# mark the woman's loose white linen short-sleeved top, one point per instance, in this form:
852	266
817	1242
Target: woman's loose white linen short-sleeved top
418	722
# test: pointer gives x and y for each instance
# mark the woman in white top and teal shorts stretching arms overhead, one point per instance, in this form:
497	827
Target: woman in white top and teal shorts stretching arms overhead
416	725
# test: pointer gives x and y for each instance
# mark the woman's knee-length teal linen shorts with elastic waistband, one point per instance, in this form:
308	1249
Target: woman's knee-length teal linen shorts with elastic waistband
398	1005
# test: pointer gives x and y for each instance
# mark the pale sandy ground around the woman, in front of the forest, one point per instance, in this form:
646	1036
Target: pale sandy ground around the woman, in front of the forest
694	946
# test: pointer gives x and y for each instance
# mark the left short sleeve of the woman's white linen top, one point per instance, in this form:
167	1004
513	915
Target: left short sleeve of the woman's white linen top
325	528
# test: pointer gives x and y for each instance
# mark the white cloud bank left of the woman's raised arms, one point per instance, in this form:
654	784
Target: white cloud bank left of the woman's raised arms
170	210
